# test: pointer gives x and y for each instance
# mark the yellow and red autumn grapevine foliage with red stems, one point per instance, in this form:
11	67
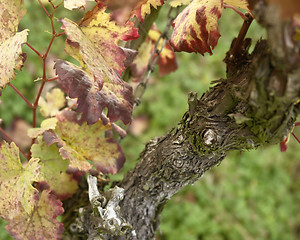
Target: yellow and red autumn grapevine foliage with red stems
75	139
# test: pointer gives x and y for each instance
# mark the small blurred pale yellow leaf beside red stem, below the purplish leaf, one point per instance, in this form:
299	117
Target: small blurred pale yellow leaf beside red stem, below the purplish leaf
55	100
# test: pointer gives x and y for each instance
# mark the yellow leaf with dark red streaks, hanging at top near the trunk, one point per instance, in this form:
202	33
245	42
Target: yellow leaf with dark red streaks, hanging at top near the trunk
196	27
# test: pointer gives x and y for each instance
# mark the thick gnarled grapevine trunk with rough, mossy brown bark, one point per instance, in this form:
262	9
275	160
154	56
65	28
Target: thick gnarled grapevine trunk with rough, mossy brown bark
256	105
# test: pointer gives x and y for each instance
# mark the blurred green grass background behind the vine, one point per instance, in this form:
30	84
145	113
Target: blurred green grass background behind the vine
251	195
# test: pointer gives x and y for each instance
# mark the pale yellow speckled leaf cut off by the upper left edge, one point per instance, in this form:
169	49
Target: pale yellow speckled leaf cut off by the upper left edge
11	58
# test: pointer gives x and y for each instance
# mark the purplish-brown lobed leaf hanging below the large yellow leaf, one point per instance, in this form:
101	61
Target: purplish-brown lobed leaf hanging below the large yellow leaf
94	97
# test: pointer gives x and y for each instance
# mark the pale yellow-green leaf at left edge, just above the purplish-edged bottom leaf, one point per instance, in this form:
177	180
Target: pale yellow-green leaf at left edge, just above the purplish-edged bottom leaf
17	195
